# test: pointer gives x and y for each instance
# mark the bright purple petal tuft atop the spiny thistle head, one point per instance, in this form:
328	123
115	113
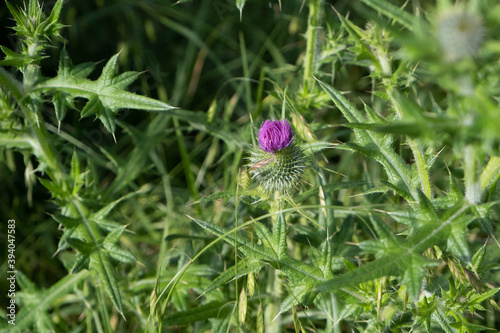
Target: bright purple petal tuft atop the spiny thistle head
275	135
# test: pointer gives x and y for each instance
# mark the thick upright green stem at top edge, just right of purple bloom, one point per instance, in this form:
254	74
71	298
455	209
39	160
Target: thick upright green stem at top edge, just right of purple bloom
312	39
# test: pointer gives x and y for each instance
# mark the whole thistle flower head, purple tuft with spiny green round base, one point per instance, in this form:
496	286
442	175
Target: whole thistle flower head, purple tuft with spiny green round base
278	163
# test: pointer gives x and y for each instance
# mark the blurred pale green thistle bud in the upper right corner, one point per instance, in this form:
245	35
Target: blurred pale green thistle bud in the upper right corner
460	33
